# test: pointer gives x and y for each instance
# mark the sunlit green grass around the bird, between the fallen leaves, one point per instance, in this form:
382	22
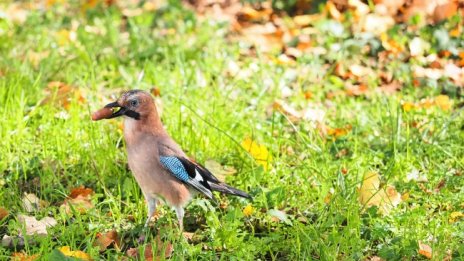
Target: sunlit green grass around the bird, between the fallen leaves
209	113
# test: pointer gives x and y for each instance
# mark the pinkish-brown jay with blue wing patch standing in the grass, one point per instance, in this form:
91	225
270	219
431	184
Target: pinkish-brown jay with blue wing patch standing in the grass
161	168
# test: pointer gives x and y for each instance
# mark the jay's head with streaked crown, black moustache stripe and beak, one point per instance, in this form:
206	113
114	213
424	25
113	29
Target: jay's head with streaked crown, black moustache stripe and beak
135	104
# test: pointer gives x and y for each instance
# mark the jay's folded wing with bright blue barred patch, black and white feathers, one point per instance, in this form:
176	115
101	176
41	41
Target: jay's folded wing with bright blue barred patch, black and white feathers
188	172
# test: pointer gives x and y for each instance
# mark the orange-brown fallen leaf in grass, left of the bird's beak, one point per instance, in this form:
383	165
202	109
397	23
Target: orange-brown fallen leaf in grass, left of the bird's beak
62	94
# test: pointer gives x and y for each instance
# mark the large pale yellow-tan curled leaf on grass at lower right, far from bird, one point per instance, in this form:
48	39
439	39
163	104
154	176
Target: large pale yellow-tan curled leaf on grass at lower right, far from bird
371	194
